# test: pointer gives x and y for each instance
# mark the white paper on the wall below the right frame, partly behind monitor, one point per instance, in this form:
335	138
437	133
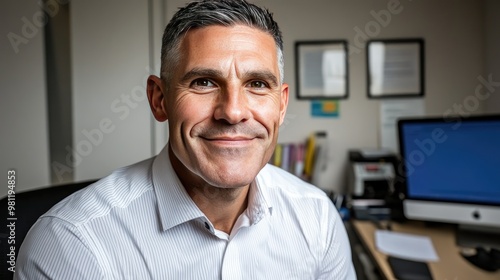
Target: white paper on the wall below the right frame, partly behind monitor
390	111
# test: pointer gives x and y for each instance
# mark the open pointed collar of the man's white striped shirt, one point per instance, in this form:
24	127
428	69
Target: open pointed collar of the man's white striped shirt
175	206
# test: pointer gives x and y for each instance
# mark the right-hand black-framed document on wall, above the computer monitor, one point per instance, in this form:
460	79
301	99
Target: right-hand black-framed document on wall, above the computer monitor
395	68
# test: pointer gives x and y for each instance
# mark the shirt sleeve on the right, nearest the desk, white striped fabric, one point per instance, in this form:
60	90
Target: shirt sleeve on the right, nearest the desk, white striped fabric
337	261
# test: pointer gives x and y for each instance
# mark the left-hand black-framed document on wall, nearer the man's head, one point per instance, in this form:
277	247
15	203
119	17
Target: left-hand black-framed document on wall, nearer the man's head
321	69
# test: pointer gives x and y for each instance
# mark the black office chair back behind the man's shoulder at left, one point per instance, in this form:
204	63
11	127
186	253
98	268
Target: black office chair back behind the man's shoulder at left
29	206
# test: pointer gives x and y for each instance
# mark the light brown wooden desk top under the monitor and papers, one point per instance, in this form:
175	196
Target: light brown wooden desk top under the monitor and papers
451	265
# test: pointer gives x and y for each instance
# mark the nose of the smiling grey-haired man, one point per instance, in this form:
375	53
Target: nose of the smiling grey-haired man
232	105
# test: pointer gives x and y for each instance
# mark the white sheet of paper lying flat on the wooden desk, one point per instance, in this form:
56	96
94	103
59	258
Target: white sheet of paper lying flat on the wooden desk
406	246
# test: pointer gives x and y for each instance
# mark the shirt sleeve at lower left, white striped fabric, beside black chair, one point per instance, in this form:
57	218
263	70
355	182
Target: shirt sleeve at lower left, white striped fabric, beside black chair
55	249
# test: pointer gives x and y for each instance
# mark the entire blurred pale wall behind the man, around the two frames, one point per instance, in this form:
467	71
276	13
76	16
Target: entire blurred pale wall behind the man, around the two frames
72	77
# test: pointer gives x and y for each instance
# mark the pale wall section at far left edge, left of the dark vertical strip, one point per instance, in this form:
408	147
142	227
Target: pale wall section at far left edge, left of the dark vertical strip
23	113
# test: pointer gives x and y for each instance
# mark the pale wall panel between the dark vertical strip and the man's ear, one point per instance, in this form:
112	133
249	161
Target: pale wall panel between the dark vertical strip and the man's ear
110	64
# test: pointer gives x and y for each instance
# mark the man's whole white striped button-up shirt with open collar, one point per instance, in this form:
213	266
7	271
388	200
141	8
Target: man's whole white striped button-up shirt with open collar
140	223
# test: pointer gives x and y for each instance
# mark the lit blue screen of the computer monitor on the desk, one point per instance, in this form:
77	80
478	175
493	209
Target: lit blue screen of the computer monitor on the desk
452	161
